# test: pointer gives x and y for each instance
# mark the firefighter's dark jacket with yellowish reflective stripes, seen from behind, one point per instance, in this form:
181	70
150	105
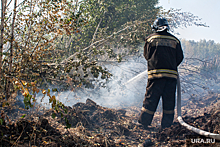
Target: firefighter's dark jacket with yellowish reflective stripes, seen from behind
163	53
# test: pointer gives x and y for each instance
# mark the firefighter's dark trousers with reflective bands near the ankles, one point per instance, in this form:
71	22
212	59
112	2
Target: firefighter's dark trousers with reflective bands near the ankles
156	88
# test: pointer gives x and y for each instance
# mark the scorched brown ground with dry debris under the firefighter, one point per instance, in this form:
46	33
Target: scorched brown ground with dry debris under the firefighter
94	125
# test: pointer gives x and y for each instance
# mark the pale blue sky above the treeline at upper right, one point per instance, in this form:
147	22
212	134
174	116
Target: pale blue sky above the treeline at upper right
208	10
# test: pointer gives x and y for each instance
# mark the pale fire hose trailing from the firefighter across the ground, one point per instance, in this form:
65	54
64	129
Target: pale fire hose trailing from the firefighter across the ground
179	117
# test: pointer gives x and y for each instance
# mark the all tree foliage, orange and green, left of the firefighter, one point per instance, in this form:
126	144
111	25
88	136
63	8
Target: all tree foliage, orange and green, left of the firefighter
28	55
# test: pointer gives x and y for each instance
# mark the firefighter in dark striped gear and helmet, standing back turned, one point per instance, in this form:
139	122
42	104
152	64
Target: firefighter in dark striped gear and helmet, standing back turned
163	53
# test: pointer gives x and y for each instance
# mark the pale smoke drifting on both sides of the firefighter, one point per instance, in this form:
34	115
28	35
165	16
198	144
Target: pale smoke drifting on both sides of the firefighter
128	86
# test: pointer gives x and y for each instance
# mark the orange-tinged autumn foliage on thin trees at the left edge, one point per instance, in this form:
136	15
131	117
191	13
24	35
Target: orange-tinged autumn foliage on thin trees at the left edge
25	53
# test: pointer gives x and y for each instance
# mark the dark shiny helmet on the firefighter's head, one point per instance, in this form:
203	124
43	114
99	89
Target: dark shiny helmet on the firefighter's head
160	24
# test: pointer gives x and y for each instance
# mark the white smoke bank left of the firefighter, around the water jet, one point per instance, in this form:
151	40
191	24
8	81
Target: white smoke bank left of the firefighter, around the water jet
125	88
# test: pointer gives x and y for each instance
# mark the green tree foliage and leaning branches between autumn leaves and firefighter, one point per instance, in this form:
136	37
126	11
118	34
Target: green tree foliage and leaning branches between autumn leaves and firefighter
114	30
